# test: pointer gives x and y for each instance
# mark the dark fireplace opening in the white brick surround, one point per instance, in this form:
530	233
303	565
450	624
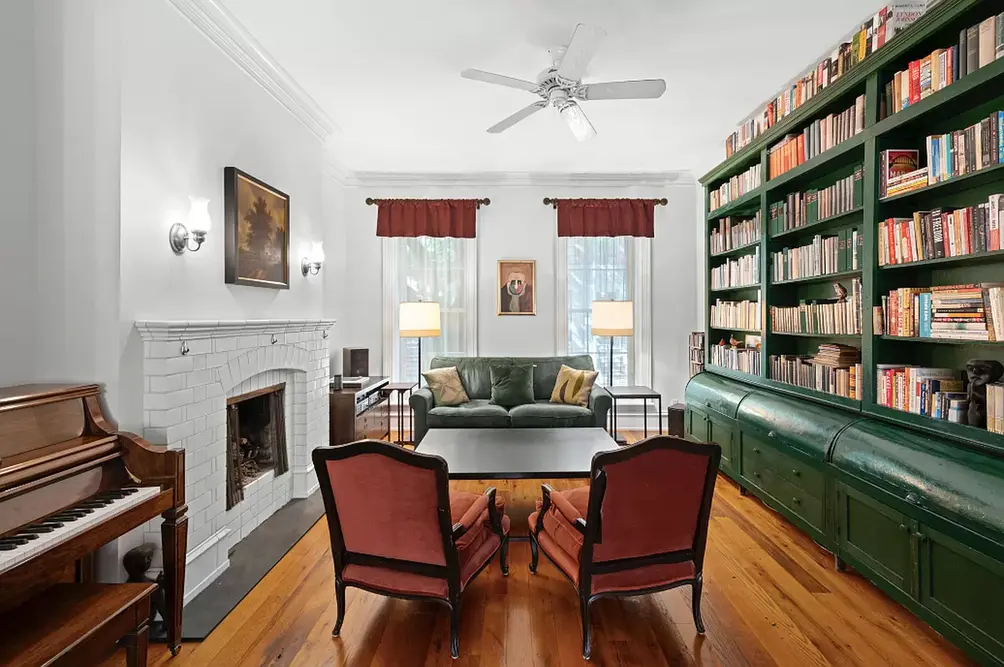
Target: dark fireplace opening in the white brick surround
257	439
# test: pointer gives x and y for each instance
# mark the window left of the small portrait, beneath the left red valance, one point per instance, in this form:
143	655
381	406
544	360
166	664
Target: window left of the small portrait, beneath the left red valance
429	270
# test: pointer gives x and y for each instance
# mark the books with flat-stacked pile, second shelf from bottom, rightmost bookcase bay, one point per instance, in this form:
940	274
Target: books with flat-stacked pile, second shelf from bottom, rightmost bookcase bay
973	312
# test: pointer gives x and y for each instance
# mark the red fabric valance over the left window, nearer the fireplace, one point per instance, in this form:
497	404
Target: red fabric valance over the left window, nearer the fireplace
427	217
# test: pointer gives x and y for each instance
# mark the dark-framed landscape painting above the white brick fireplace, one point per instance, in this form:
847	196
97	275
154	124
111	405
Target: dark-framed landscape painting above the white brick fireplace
258	232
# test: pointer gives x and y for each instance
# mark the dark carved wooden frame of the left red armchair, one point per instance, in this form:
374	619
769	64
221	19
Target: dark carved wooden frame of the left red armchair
451	534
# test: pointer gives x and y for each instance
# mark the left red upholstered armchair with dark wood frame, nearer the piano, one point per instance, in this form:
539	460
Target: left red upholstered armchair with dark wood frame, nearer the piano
398	531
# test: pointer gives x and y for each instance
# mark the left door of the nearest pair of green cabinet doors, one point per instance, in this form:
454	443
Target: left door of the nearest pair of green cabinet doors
879	538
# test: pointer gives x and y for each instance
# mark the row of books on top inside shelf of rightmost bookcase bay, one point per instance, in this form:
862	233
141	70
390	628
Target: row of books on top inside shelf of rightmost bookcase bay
978	47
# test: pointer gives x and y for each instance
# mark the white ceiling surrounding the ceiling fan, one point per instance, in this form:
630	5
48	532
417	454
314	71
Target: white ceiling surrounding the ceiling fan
388	72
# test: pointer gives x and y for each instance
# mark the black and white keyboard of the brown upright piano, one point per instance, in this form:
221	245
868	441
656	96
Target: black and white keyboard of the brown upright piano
36	539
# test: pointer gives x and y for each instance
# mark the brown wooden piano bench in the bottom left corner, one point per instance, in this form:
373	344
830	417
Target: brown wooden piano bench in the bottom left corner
78	624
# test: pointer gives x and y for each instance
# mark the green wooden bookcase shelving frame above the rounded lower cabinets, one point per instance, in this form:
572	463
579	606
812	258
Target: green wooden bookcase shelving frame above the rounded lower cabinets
964	103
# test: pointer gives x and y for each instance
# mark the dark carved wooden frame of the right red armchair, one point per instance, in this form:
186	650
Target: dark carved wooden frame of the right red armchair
592	530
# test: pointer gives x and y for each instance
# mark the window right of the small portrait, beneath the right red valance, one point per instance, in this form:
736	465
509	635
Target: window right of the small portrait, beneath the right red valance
600	269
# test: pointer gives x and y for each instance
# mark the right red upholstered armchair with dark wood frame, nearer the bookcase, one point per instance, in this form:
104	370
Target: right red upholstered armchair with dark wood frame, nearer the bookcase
641	527
